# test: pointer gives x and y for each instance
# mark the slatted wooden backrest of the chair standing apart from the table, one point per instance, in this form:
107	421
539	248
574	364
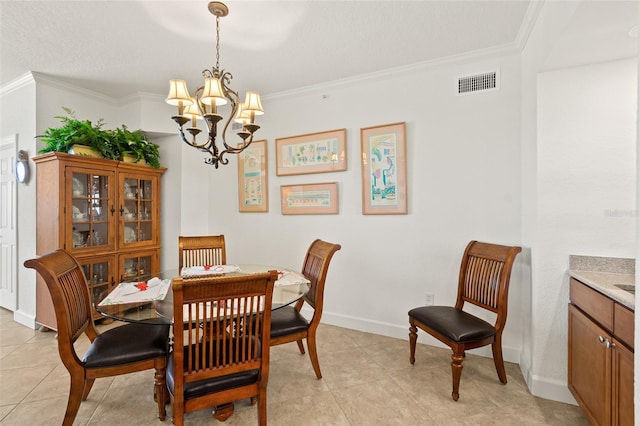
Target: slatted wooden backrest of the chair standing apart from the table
484	277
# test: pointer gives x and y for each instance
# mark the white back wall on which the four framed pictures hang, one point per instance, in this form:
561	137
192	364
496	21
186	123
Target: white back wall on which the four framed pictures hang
463	184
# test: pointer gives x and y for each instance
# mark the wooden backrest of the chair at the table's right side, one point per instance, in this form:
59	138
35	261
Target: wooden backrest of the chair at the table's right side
315	268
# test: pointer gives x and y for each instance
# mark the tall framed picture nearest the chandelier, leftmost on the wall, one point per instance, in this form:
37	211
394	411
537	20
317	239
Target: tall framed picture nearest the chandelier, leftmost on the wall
252	178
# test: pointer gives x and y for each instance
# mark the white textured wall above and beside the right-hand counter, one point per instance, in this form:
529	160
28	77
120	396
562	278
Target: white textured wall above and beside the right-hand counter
586	194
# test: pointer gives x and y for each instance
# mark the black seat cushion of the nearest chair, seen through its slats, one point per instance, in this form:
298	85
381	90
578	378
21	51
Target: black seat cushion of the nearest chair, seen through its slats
213	385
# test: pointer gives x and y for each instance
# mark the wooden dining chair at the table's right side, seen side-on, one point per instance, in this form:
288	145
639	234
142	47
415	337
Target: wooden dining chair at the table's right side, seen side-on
287	323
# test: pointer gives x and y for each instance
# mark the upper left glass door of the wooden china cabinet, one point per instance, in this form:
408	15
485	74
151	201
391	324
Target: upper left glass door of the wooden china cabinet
90	211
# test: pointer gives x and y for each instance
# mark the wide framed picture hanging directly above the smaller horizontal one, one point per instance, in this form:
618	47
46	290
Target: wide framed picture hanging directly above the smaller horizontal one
312	153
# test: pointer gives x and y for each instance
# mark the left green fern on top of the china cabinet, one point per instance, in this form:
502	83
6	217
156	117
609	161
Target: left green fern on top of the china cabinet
75	134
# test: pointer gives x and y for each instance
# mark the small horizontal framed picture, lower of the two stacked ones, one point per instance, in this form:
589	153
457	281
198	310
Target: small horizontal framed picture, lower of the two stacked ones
312	198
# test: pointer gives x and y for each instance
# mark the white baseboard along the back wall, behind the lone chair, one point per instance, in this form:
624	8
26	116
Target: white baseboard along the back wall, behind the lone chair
509	354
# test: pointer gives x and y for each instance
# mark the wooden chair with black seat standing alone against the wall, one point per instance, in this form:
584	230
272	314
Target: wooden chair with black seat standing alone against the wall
483	281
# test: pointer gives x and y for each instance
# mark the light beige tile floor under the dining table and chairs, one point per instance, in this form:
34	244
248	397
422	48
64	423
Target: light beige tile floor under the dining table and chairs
367	380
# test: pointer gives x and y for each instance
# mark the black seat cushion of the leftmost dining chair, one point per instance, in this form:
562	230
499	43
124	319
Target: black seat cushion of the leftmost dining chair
127	344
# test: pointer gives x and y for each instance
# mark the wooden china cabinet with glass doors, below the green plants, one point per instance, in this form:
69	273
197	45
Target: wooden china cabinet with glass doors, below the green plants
104	212
